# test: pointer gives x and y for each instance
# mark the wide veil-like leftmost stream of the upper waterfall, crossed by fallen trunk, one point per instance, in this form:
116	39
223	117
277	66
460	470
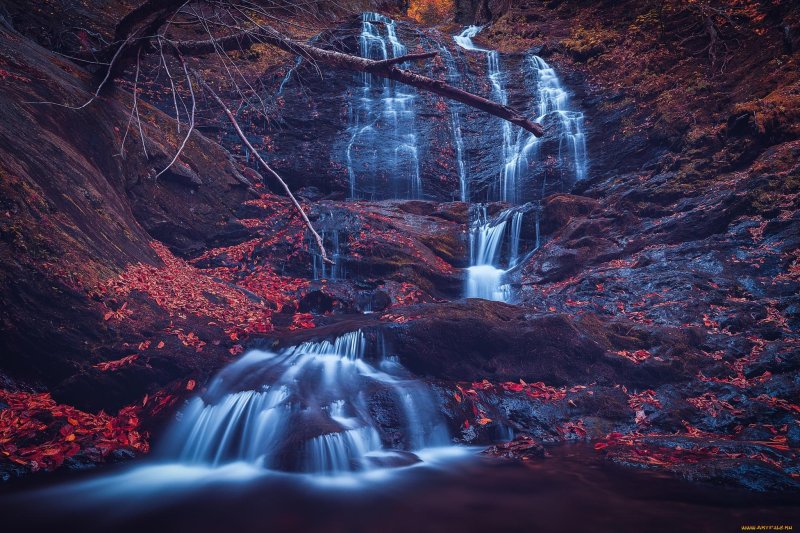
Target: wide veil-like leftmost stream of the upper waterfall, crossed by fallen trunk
382	154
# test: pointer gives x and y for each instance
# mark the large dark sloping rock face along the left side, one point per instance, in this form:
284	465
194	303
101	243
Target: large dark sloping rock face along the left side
74	212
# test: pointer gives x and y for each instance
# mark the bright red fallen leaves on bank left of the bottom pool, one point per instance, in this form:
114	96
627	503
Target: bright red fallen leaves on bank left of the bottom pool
40	434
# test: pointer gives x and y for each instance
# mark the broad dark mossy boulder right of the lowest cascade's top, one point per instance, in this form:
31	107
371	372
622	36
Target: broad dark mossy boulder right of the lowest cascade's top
459	341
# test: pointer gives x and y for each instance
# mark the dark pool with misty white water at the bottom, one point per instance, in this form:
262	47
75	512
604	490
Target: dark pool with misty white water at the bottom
569	491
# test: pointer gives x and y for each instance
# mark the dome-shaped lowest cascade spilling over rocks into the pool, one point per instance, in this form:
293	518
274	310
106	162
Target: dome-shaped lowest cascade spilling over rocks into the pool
318	407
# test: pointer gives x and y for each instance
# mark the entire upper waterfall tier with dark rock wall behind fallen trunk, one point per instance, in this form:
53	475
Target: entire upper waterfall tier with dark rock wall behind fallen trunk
370	138
